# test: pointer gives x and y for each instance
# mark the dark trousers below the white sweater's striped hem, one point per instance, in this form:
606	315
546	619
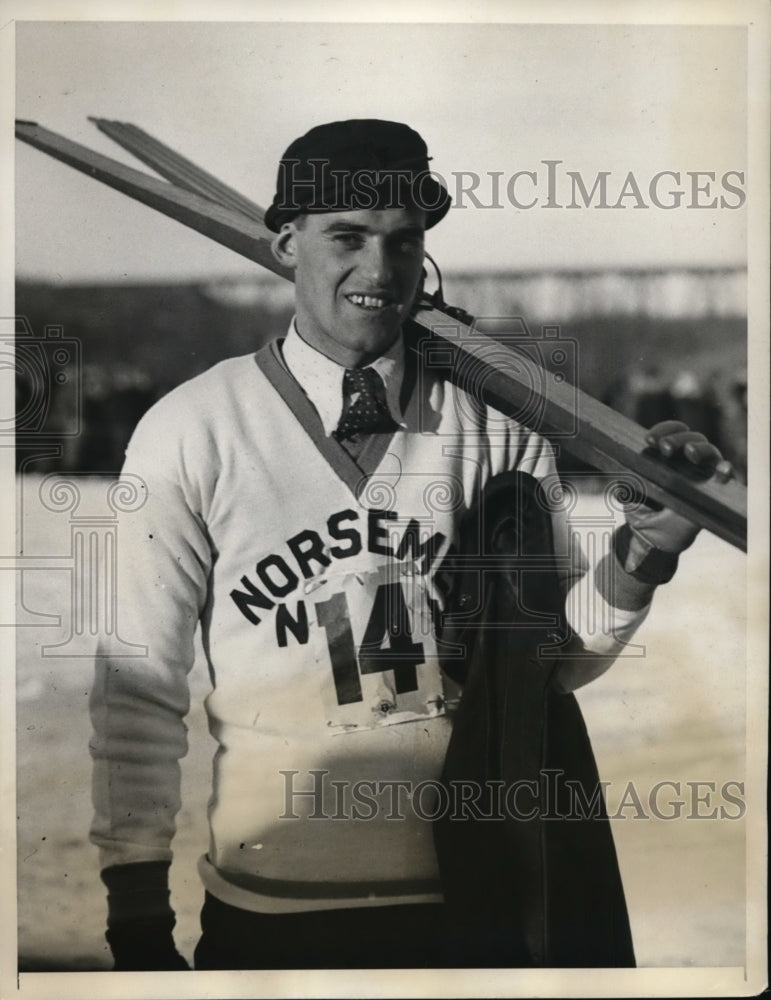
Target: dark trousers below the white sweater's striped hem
391	937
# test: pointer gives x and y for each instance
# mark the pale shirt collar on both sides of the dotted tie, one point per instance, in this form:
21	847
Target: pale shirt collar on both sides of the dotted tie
321	379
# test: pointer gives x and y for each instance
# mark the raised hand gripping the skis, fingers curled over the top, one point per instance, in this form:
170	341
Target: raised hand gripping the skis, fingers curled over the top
655	535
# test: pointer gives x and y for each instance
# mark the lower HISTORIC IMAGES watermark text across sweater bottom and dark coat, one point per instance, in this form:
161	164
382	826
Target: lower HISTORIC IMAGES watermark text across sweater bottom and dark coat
313	795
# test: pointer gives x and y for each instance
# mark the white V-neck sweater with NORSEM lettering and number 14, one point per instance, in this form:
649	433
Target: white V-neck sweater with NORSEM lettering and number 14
264	531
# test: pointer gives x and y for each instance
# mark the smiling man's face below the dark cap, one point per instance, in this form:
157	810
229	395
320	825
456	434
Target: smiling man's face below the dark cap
356	275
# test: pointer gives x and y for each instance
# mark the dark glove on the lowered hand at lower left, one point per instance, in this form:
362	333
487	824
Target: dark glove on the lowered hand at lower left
140	919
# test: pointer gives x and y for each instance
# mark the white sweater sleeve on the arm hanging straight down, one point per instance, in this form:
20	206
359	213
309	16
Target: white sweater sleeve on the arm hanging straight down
138	702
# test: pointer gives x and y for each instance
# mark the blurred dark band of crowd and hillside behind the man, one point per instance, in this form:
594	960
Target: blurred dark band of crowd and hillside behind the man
651	347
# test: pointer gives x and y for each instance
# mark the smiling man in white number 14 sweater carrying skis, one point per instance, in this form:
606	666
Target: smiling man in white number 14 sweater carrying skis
299	505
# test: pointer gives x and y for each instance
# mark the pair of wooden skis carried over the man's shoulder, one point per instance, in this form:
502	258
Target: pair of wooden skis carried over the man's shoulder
508	372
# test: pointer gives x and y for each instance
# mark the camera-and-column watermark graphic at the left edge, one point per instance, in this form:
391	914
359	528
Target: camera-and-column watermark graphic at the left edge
47	370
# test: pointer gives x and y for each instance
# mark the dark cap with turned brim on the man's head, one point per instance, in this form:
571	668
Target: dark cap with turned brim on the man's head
358	164
